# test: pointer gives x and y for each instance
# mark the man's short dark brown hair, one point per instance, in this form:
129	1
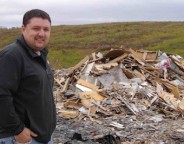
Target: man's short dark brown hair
35	13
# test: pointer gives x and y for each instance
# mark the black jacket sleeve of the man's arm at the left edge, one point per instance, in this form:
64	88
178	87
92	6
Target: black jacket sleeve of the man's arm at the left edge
9	81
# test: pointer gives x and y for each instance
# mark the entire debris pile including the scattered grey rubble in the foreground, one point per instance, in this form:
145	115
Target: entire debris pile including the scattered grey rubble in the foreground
134	96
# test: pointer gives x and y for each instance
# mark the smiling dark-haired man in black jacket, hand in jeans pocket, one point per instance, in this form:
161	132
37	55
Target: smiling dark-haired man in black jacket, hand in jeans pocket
27	109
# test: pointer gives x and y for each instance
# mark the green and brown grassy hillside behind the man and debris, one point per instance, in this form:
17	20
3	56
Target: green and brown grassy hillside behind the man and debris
70	43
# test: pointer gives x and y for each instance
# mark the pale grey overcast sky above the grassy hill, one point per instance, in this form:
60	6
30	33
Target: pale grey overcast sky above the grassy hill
93	11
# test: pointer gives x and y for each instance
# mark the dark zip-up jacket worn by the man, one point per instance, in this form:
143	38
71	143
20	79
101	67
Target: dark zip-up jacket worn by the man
26	97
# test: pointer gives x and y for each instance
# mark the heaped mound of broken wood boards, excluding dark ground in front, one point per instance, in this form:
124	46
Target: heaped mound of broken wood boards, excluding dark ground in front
121	82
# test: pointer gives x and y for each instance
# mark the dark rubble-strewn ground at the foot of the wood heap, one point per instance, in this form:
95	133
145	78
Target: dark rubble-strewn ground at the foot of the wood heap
140	129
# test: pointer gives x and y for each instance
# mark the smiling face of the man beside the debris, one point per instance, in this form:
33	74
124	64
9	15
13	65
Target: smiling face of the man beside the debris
37	33
